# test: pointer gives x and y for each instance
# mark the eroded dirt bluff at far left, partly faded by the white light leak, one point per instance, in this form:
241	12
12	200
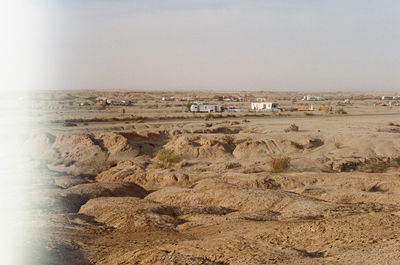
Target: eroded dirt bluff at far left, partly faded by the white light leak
90	154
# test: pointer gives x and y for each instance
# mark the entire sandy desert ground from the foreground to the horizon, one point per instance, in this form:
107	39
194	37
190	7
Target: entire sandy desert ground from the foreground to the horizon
99	198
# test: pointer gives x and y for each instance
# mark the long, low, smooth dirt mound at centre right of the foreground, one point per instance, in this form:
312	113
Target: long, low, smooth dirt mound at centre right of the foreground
218	192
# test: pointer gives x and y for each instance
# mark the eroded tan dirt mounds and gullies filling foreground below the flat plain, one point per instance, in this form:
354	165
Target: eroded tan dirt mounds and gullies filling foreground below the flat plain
218	199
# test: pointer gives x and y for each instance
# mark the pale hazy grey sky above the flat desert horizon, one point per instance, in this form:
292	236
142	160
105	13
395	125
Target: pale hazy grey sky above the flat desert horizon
213	44
